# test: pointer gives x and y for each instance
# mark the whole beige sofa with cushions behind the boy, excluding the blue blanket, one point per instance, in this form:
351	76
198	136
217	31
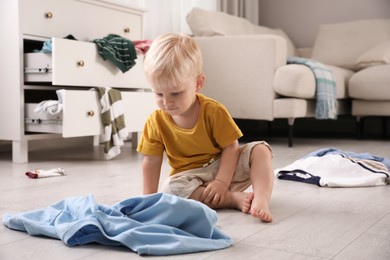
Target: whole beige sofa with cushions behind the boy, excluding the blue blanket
246	67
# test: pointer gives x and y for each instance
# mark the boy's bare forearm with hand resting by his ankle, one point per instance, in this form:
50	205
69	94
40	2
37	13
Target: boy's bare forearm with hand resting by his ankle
216	190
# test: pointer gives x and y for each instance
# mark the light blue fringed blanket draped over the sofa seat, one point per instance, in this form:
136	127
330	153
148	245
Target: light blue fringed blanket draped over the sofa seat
326	100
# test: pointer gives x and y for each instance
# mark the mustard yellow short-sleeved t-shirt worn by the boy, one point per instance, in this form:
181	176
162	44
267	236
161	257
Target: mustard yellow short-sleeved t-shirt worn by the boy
190	148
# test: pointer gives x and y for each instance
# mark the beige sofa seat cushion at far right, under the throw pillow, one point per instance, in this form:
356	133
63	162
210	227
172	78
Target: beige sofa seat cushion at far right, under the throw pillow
372	83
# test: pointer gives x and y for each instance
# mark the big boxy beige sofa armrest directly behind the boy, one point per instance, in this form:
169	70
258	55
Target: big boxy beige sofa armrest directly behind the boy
240	72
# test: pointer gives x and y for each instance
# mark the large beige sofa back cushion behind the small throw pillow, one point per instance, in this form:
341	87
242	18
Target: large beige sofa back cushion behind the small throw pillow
341	44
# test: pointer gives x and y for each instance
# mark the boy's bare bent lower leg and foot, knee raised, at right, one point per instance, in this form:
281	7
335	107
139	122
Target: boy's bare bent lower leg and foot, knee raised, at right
262	178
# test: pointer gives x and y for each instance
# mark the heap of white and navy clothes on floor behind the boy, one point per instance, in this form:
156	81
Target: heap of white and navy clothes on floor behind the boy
332	167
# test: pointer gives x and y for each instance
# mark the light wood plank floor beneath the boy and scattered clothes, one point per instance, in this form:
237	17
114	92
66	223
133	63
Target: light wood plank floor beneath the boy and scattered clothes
309	222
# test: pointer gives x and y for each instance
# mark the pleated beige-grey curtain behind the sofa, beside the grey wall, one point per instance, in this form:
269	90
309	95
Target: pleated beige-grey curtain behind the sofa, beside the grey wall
248	9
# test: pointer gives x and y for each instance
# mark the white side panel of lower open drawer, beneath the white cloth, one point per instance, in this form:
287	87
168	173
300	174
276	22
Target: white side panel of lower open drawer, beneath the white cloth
41	123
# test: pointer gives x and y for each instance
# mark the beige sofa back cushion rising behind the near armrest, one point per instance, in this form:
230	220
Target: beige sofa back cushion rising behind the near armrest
210	23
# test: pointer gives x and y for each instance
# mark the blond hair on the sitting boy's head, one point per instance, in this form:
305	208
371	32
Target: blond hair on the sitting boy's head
172	59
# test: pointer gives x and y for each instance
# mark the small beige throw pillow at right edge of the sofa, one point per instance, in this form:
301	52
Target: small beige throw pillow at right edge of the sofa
378	55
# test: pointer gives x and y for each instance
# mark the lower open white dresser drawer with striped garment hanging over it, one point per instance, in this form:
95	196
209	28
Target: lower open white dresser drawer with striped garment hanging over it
81	114
